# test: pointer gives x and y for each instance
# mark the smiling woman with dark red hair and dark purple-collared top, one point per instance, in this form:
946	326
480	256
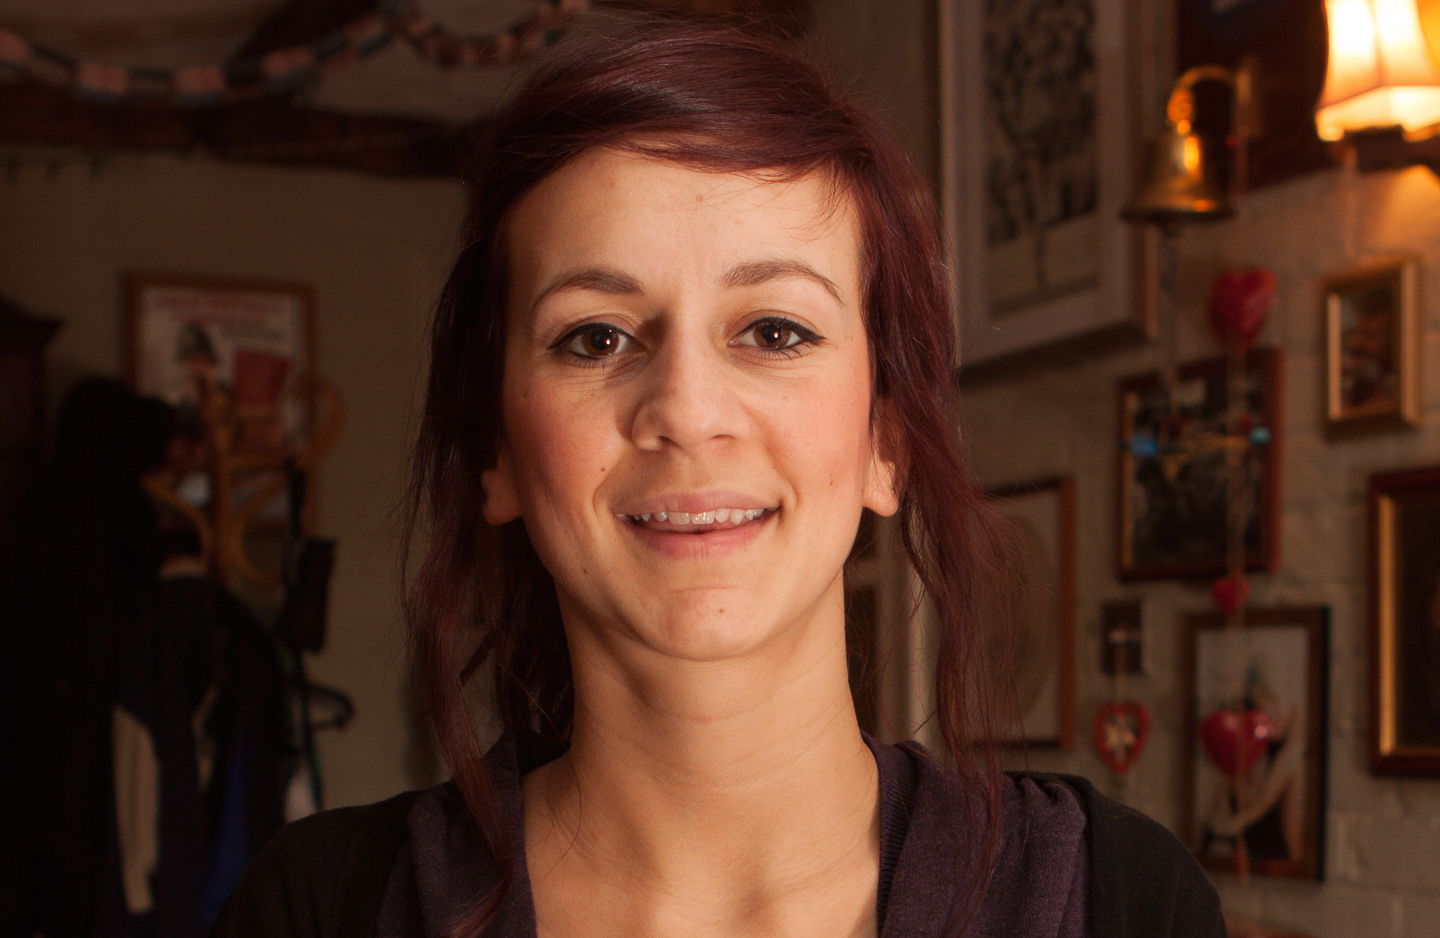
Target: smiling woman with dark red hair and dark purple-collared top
701	325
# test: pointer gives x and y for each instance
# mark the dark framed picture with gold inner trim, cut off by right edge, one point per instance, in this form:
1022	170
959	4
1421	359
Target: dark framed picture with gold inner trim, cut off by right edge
1405	557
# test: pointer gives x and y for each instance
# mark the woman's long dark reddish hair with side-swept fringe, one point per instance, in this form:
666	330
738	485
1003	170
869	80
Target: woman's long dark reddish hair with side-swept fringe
718	100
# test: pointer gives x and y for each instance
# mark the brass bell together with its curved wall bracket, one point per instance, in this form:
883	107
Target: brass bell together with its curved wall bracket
1182	184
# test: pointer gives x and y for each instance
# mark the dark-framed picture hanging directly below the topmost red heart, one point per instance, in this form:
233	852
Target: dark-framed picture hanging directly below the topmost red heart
1174	478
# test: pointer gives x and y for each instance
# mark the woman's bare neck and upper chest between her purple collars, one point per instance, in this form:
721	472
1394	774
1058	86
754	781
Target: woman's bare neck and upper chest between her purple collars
714	792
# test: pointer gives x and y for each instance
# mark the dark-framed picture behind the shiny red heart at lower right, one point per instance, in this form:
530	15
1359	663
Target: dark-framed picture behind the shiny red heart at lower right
1256	741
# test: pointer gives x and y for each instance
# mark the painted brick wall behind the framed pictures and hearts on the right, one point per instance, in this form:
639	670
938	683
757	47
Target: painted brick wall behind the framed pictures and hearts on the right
1383	835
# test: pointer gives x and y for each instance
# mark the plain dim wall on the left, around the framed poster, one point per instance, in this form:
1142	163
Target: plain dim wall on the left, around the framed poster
375	253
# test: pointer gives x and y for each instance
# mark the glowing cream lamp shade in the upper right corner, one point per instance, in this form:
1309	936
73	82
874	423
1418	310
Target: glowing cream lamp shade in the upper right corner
1383	71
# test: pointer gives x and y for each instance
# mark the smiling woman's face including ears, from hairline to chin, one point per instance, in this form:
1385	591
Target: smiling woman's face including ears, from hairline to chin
688	403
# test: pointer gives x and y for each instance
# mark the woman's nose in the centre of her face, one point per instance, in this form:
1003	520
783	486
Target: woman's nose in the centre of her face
688	397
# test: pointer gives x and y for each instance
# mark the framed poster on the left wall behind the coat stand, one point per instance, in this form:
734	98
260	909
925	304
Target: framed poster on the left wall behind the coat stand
191	336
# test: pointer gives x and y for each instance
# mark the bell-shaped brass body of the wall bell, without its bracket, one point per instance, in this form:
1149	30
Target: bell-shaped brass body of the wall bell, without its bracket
1180	184
